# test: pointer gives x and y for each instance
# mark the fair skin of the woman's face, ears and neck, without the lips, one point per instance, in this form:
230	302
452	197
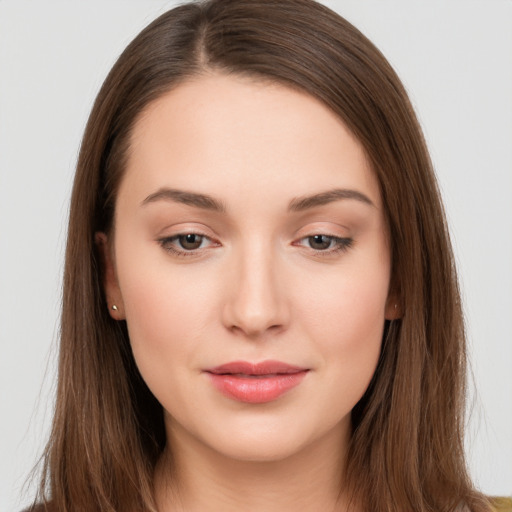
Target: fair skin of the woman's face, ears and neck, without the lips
262	275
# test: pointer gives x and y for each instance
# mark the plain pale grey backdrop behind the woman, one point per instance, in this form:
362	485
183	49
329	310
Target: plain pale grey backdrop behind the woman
455	58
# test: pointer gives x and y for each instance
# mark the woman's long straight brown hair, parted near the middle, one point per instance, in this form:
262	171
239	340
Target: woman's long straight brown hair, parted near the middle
406	450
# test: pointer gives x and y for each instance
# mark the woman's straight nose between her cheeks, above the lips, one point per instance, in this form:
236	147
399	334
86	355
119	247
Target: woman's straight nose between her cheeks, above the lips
256	302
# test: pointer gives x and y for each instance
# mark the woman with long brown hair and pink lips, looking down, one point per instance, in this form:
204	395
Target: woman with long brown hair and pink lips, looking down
260	303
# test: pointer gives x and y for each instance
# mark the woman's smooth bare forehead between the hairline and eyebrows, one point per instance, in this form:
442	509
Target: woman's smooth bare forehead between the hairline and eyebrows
235	135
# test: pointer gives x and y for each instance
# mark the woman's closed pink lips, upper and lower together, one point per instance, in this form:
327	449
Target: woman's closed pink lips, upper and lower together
256	383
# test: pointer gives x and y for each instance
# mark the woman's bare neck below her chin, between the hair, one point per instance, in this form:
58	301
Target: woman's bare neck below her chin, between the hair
197	478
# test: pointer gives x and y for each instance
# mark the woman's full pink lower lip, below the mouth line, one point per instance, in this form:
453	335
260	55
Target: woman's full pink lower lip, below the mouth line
256	390
